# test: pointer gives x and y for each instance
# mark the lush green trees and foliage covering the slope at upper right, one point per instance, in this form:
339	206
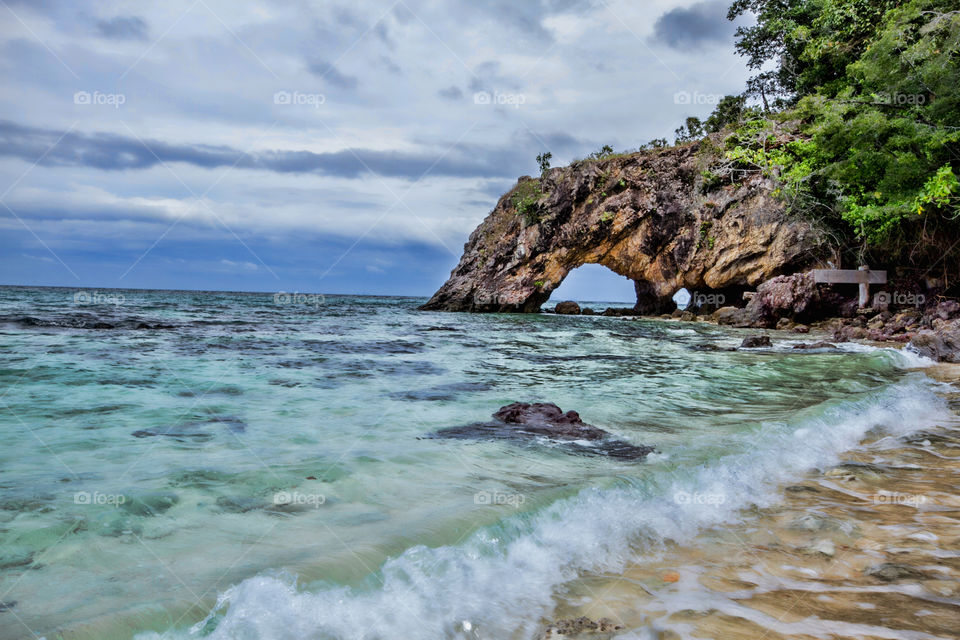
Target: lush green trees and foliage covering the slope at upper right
859	121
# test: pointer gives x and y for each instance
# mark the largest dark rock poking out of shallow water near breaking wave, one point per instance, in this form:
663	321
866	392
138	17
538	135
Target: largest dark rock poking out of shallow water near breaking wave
522	420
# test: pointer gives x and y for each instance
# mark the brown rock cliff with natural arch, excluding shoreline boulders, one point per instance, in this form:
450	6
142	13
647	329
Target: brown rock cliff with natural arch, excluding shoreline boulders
648	216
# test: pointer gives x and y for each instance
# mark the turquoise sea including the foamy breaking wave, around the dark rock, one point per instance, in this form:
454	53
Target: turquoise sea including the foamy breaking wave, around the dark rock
258	466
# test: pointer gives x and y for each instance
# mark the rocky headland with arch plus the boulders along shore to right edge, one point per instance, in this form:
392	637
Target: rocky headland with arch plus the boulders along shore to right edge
660	218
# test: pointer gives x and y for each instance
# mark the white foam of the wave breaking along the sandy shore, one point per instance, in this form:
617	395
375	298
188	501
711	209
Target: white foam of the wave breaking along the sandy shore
502	580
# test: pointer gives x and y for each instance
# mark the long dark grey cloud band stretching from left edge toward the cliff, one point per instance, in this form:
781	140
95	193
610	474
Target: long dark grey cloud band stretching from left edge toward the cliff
111	152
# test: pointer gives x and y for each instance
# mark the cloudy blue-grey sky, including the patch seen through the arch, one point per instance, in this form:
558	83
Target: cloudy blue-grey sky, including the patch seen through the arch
336	147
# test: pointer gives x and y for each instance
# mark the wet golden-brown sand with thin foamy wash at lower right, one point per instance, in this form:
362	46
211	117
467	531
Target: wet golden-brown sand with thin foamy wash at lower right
867	549
